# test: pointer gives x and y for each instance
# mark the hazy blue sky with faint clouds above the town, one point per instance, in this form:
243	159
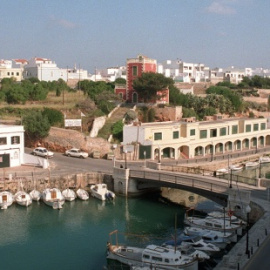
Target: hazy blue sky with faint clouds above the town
97	34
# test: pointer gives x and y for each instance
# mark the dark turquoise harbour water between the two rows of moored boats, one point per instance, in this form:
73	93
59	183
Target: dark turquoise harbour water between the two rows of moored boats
75	237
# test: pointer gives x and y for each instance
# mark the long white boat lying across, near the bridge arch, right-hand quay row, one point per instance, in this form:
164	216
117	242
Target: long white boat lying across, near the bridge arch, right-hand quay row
215	224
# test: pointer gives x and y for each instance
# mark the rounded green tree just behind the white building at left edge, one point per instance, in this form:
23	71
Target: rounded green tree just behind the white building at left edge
36	125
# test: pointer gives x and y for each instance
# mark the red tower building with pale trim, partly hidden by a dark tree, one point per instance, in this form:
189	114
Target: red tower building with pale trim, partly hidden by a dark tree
135	68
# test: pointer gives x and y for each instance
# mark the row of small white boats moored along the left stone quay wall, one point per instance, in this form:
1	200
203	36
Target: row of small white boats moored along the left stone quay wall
54	197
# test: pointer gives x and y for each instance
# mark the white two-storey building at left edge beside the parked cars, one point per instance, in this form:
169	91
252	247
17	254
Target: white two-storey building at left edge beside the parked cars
11	146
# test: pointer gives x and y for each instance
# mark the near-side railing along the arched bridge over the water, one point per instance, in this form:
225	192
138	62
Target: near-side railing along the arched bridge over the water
186	180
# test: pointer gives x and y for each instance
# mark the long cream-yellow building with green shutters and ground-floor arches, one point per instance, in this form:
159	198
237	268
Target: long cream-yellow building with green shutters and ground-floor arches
189	138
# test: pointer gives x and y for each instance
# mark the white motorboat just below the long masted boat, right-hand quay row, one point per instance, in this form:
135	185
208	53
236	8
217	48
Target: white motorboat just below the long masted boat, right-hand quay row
224	237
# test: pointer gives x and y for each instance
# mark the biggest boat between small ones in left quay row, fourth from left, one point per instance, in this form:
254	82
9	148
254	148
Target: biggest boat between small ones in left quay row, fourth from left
53	197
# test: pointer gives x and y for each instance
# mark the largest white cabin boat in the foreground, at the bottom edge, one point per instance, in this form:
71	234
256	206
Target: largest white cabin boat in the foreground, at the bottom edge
151	256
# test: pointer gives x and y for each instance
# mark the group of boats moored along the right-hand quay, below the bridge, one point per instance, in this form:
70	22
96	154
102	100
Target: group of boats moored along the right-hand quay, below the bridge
204	237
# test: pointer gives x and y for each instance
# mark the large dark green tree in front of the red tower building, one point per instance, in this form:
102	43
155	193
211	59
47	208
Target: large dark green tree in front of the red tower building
149	83
